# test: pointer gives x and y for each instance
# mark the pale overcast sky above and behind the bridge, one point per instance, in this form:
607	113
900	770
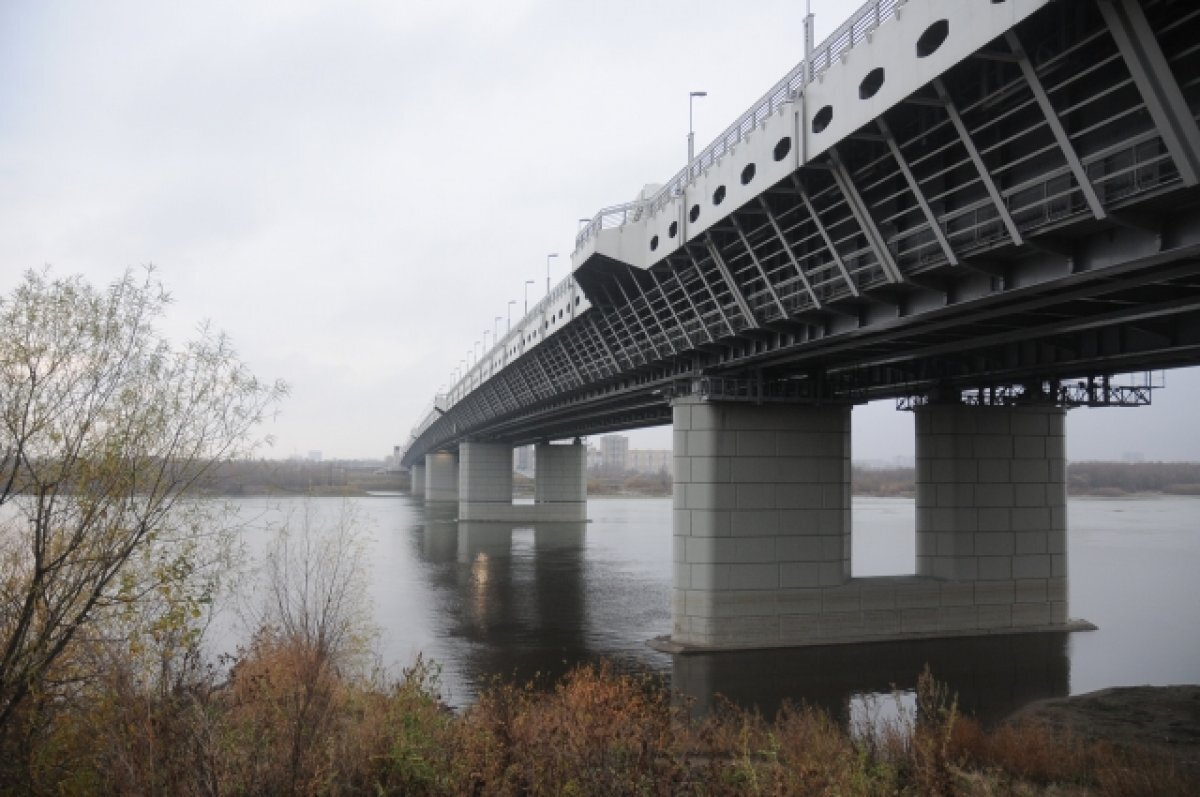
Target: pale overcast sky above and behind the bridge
355	191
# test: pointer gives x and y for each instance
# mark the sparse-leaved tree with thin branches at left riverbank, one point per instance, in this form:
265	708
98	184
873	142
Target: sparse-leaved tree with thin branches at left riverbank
105	430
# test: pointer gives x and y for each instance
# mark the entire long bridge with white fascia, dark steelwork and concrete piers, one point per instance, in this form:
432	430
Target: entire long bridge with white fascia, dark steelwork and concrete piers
987	211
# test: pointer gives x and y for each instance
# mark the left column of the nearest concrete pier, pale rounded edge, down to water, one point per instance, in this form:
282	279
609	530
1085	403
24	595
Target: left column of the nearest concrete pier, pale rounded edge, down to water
761	526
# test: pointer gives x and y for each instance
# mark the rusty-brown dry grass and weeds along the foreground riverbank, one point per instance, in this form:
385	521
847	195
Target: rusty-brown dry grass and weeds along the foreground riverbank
285	723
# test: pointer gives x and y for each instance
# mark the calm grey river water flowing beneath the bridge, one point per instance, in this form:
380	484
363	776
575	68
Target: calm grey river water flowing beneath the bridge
488	600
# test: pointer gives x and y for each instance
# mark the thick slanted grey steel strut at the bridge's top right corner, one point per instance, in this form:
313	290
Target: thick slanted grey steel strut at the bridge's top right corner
1156	83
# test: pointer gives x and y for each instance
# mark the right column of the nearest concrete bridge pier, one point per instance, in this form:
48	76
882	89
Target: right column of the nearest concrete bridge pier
992	514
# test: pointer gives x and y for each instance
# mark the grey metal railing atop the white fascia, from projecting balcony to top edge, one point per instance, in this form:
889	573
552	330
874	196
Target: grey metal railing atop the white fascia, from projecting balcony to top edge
863	22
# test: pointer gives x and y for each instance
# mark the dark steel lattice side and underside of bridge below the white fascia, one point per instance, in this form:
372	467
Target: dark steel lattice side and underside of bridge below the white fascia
1028	215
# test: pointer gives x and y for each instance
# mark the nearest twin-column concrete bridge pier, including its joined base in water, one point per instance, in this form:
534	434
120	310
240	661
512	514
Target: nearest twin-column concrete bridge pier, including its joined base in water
763	528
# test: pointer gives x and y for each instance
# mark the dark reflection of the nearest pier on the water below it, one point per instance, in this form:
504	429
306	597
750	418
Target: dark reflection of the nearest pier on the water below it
993	675
